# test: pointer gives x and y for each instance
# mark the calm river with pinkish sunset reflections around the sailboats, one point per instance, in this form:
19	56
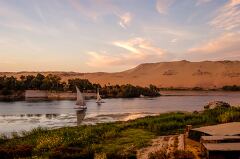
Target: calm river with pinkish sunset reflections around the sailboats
26	115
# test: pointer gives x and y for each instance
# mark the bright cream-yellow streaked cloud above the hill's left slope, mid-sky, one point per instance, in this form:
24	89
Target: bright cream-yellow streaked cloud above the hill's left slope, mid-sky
136	50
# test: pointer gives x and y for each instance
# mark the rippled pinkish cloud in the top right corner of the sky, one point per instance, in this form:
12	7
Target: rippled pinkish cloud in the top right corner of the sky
228	16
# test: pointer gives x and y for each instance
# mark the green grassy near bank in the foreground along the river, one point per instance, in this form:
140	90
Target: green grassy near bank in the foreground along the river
110	140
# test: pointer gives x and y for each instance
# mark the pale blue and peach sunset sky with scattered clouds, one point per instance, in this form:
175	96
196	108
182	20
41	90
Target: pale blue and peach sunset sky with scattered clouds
115	35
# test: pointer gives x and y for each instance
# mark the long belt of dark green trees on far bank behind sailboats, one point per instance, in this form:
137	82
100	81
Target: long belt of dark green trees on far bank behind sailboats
10	85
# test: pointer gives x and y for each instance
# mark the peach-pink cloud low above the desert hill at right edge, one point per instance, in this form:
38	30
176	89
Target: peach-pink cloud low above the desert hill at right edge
224	46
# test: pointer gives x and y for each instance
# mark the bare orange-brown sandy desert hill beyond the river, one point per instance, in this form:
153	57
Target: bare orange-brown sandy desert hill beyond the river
181	74
